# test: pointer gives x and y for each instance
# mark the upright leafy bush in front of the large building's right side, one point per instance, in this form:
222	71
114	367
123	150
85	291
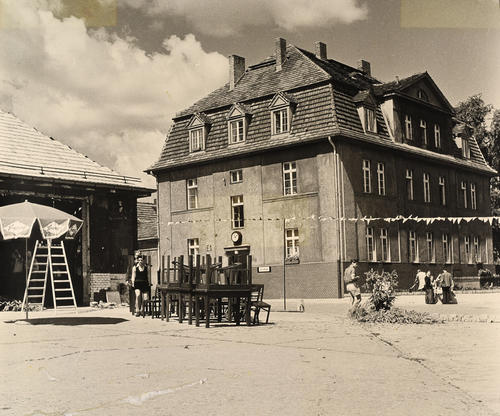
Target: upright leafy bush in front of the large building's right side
383	287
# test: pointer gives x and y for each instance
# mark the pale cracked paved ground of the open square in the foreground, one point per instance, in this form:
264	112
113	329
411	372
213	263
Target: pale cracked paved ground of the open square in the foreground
106	362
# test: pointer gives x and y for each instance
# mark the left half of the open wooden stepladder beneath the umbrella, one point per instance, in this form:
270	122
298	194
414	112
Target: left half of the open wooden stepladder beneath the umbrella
36	284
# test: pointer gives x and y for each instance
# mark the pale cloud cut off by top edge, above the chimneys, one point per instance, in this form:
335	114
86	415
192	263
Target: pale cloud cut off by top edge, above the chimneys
227	17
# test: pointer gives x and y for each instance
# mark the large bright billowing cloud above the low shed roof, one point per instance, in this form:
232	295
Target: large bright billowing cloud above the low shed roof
97	92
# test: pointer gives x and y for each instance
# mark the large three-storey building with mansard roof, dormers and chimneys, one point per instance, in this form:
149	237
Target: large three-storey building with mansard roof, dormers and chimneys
291	159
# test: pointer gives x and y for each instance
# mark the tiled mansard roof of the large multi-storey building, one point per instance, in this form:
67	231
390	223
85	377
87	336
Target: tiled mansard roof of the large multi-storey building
325	93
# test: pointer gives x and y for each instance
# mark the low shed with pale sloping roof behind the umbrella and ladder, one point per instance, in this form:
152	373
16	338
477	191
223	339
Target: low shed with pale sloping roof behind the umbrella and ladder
40	169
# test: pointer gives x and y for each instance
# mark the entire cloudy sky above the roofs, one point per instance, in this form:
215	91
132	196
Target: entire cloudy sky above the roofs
107	76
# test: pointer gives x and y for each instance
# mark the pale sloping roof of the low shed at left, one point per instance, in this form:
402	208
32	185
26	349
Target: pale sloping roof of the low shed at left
26	152
